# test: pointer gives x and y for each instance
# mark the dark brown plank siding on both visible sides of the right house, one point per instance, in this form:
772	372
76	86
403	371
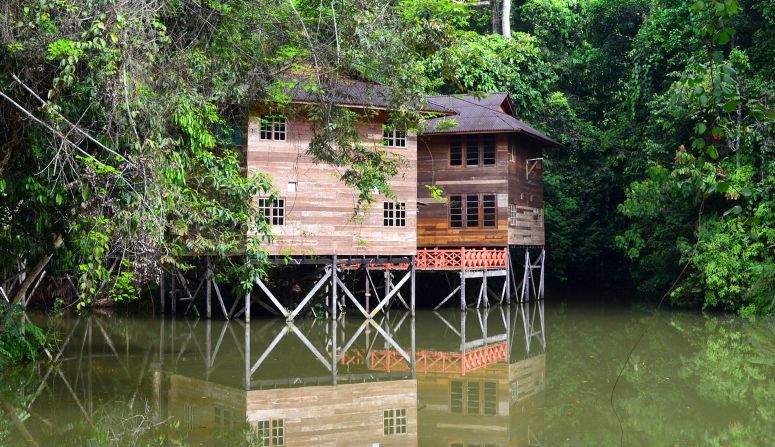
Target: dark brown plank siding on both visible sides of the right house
507	179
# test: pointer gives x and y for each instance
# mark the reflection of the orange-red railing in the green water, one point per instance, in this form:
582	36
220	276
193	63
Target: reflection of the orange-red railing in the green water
430	361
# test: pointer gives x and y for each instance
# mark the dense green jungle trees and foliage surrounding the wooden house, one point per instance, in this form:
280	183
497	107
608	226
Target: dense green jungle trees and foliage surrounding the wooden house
117	157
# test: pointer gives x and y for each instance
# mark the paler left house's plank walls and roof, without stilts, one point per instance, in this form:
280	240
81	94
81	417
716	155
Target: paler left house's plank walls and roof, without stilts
314	213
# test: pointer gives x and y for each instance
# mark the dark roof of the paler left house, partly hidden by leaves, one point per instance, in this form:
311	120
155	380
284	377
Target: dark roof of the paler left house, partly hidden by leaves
353	93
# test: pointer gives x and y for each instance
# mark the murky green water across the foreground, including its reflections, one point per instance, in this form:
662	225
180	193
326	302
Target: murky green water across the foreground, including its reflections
516	376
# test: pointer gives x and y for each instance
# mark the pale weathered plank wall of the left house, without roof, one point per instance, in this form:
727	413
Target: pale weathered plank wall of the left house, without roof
319	215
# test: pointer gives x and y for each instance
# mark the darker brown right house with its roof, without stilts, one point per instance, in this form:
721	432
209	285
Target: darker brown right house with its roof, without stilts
488	164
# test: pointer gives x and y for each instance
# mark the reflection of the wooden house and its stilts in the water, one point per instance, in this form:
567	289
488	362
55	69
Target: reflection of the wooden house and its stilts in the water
473	382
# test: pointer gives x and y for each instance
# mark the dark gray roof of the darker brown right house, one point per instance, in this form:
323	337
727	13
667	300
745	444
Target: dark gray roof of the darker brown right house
492	113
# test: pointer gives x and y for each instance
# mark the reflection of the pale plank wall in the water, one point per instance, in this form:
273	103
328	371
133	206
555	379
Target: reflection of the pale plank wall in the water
338	415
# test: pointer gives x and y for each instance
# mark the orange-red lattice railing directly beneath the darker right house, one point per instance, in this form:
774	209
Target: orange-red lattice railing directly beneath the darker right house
464	258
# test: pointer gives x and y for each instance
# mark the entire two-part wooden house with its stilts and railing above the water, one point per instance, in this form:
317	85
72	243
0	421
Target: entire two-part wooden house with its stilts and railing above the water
485	160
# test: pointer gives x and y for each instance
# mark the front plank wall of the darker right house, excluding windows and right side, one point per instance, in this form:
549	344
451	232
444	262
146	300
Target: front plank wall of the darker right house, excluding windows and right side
433	228
